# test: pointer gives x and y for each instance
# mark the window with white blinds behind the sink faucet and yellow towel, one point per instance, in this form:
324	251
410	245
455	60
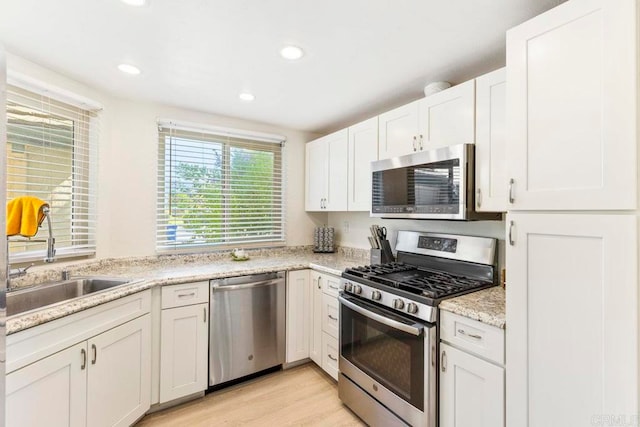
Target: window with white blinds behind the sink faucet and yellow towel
51	152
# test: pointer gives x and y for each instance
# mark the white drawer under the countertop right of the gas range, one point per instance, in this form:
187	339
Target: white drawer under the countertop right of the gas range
475	337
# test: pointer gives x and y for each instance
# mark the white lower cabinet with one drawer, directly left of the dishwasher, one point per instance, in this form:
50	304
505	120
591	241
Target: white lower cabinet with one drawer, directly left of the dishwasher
184	339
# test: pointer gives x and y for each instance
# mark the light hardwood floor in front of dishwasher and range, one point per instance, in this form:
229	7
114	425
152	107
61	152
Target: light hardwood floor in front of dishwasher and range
300	396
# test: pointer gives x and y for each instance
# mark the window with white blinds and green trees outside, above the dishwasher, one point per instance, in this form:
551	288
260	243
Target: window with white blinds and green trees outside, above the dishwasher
218	188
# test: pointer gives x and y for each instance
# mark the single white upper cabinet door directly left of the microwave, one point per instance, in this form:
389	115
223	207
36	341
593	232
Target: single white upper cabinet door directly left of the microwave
363	149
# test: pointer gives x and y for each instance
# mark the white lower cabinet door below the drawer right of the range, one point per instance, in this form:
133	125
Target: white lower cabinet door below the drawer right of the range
471	390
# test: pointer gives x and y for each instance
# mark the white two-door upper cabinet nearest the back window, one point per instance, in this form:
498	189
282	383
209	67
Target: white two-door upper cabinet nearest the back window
326	173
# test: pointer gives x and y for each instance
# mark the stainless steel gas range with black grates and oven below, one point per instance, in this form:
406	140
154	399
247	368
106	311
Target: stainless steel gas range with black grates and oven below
389	324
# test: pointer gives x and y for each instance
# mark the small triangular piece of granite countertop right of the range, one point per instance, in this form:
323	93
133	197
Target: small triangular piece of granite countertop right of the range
486	306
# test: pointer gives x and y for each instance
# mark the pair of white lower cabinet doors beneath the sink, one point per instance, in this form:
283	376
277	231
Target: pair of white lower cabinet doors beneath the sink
103	381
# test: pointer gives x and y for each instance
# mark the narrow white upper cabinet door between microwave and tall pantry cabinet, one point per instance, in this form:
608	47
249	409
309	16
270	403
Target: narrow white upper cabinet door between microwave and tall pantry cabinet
491	149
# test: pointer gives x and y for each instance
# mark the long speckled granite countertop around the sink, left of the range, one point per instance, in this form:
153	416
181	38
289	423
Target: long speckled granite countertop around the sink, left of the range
175	269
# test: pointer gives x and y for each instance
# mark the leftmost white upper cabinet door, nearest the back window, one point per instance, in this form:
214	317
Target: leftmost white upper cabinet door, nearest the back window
316	174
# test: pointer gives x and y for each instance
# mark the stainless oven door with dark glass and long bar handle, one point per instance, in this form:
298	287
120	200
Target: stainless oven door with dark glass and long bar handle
390	357
